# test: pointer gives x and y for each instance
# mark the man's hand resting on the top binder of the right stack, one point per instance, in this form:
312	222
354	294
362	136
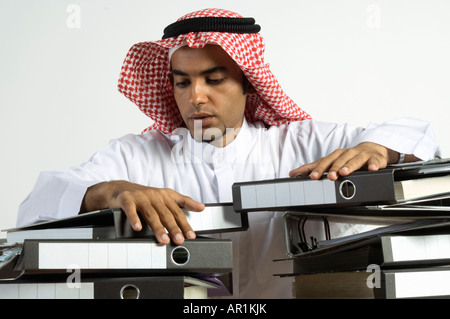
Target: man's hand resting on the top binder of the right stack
343	162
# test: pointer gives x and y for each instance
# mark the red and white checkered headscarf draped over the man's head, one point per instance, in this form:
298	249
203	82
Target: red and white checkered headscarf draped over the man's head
145	76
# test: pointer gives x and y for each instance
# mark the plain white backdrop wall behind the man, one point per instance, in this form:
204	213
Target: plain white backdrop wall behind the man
356	61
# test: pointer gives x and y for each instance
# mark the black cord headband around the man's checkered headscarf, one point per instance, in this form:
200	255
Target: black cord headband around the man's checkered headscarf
211	24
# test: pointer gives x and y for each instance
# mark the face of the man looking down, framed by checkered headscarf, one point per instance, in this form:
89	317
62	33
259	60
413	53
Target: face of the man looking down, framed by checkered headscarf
208	89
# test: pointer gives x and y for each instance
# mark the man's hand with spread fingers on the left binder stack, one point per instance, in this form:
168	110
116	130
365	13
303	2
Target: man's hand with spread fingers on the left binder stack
159	207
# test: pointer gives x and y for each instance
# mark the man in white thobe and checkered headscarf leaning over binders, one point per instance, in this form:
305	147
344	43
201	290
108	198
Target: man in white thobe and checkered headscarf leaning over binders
220	117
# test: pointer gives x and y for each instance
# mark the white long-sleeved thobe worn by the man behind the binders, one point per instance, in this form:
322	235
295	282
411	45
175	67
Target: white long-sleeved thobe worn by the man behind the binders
206	173
